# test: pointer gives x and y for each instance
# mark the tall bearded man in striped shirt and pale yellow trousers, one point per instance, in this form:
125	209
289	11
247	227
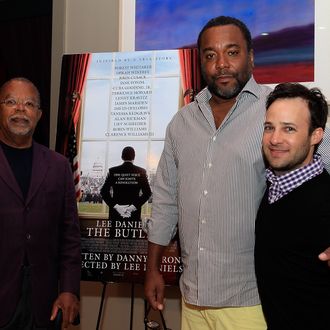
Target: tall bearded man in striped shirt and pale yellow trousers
210	181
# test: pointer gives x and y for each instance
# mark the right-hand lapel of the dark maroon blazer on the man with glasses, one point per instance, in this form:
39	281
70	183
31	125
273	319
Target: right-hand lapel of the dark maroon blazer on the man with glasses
40	165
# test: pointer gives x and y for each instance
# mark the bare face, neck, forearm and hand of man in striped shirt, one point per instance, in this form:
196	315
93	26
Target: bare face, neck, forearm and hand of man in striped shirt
226	66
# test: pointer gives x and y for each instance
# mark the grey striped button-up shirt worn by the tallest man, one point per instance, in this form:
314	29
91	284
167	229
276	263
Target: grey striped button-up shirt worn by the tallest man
209	183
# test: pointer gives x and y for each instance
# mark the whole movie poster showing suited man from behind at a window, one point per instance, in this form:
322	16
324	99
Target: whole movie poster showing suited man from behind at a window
127	100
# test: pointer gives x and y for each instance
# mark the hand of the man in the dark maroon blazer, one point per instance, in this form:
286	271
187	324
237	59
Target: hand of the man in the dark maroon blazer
69	304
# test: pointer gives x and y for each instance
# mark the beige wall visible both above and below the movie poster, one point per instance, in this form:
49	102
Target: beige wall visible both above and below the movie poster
81	26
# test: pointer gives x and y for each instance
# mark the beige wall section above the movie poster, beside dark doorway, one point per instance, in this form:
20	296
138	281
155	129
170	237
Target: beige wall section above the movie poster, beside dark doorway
80	26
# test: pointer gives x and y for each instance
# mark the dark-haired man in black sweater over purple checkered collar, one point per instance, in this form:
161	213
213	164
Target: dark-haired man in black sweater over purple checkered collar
293	221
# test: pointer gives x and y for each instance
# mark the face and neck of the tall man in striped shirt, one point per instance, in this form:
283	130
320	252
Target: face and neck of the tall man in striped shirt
226	66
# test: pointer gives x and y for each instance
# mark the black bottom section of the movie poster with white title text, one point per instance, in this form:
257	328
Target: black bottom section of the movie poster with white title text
122	257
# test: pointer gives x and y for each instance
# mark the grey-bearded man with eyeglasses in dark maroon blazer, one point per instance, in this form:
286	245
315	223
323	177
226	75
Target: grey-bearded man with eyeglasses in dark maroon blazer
39	228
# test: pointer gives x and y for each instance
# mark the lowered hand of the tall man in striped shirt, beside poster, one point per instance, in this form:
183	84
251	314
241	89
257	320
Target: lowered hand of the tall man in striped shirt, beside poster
154	287
